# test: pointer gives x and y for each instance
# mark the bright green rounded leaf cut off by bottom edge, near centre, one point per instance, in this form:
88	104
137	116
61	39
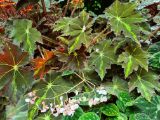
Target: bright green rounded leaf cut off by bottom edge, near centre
89	116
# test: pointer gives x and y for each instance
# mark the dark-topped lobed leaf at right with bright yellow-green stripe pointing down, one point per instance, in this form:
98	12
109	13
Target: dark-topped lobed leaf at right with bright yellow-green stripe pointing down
132	58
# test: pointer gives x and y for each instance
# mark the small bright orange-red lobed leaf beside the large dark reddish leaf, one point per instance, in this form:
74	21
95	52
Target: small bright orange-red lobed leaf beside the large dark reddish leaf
40	64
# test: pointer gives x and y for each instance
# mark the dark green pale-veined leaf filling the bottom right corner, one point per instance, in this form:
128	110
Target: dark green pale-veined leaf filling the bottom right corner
152	108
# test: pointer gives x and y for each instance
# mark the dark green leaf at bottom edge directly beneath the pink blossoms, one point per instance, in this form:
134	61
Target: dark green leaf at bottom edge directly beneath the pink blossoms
76	115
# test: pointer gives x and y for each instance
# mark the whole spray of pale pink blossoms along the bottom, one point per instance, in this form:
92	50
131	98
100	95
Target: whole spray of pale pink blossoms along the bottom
69	107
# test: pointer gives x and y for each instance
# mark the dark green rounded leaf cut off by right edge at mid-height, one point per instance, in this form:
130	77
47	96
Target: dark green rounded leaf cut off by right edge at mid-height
154	60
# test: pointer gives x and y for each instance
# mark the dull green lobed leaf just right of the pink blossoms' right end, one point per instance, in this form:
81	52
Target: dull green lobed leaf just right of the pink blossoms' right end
117	86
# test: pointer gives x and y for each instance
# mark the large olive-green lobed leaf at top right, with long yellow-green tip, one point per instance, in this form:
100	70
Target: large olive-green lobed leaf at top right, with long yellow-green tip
123	17
